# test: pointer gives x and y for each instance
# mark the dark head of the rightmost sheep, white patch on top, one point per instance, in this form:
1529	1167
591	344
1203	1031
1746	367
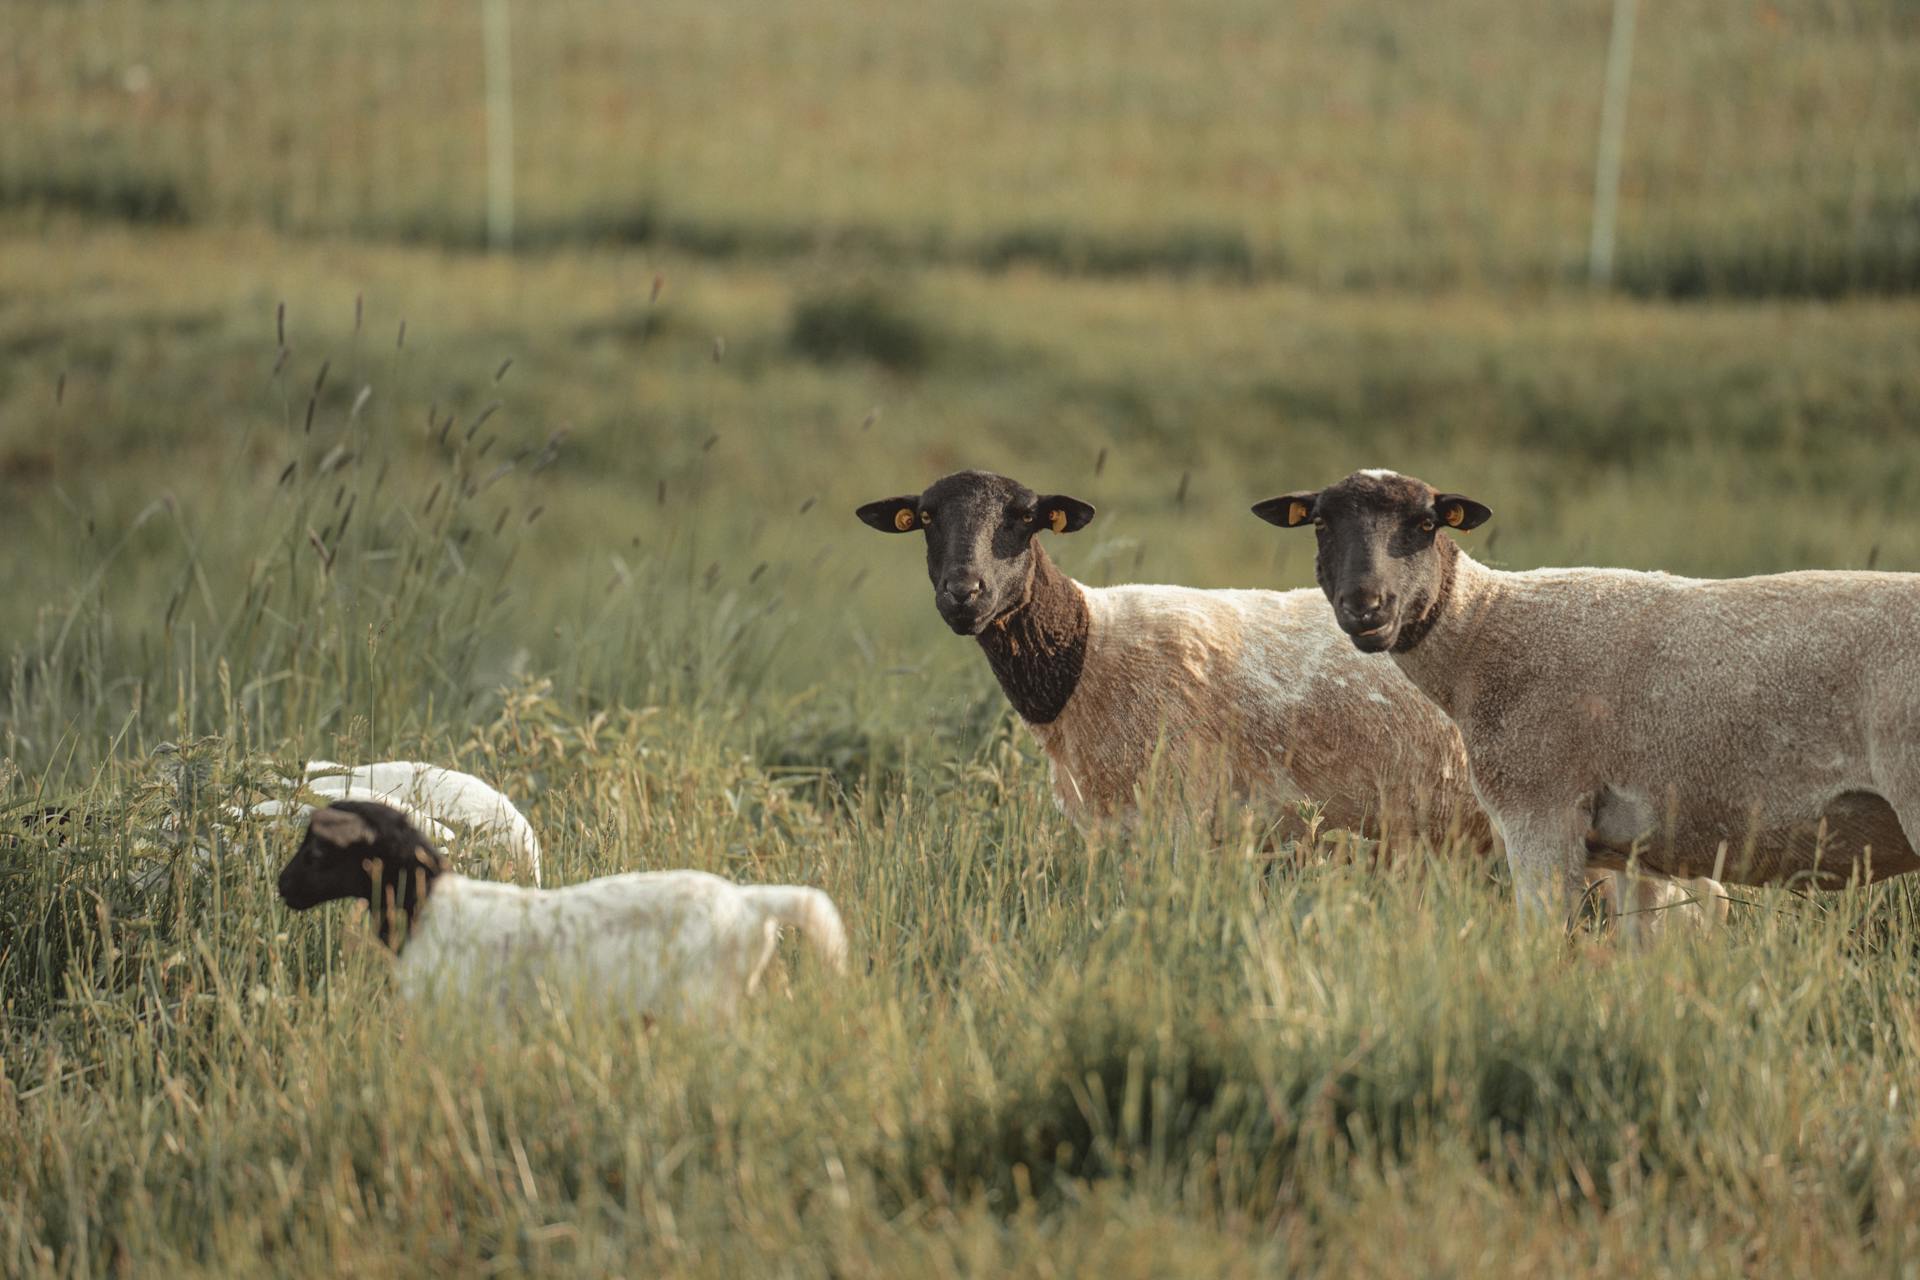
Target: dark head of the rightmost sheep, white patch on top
1381	559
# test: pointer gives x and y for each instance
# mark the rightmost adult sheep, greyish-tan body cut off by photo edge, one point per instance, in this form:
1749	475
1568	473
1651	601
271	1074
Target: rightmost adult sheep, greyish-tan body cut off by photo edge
1750	730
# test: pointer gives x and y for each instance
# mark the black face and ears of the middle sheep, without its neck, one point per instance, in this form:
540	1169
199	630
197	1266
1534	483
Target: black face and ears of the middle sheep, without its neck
980	540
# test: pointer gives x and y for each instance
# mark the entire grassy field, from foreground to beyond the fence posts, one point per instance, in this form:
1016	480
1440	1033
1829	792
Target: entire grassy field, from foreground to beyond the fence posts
295	465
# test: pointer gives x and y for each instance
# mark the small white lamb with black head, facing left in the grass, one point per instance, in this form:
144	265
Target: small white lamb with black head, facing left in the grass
660	943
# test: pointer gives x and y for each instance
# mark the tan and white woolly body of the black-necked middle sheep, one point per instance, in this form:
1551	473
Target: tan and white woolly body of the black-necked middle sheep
1257	696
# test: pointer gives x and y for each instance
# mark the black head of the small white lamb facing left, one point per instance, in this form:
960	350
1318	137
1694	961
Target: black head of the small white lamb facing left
362	849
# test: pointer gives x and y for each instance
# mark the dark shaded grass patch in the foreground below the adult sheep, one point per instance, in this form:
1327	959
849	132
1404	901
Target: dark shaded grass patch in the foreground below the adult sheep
1572	1106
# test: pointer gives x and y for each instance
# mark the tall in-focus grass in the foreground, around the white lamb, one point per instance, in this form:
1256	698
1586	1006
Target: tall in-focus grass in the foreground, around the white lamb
1045	1041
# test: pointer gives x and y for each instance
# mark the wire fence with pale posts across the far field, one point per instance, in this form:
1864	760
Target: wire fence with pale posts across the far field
1760	147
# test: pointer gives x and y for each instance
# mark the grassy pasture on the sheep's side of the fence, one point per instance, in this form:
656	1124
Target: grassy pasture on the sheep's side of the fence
665	632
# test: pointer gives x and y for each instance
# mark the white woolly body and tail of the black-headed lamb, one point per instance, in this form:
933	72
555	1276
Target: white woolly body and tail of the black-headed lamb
660	943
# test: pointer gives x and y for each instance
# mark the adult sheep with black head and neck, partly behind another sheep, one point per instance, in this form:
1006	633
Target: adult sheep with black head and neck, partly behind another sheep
1249	692
